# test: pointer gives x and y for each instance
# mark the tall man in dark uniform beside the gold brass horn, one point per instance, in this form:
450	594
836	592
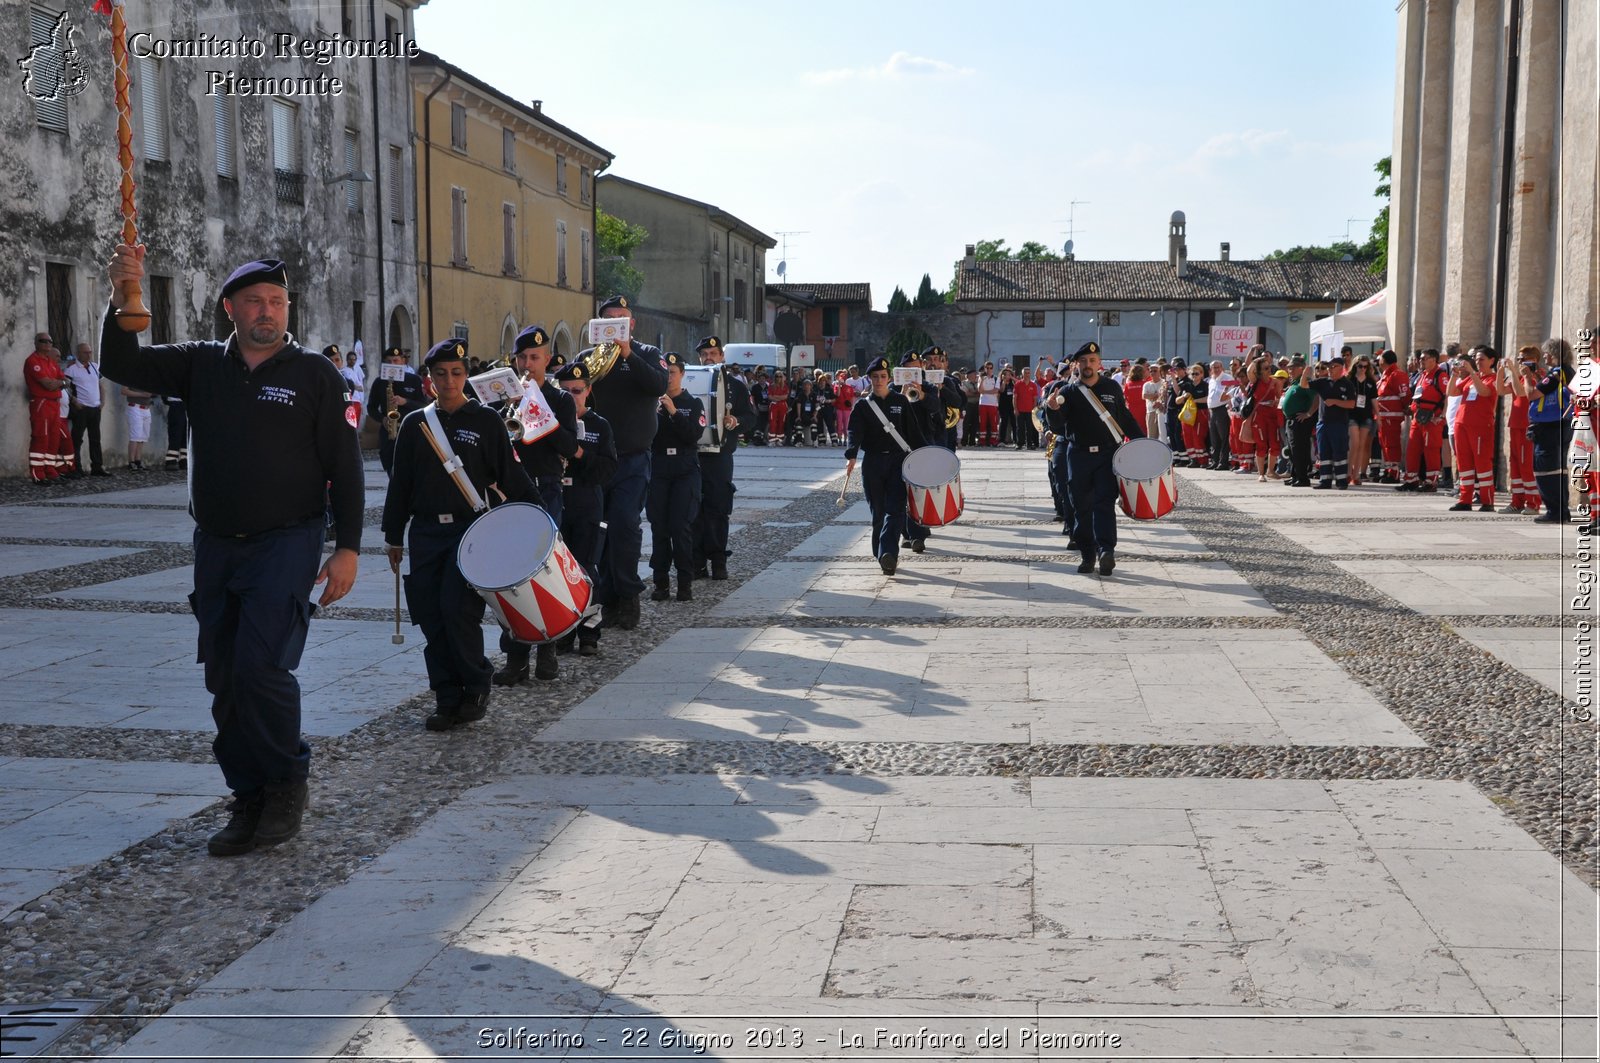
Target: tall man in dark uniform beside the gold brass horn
628	398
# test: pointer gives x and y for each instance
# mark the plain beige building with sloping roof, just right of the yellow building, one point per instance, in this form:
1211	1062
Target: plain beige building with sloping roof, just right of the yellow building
705	270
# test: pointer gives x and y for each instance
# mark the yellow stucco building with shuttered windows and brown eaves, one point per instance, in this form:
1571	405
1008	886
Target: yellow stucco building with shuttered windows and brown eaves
506	215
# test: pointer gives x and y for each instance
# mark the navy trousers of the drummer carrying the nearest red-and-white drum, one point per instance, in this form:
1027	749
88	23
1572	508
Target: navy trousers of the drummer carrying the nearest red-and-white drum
449	612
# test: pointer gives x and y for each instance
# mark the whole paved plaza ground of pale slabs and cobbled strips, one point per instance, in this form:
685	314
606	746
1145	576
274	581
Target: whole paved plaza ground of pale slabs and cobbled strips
1300	780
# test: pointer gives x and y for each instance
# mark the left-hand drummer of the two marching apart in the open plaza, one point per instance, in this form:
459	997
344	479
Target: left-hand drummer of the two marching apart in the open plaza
884	428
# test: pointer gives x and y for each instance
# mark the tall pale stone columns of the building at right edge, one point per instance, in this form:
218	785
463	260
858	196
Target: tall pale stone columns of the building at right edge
1494	214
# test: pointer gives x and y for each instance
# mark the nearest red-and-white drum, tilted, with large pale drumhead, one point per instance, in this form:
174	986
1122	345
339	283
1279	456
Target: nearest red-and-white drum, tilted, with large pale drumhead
516	560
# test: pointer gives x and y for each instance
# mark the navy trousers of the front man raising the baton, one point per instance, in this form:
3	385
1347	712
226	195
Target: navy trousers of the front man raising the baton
254	603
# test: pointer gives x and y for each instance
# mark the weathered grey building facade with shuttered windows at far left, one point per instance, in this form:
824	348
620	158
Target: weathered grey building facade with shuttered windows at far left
236	158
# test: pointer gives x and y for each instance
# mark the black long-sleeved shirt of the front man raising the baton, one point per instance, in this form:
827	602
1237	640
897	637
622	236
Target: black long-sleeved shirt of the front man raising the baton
271	446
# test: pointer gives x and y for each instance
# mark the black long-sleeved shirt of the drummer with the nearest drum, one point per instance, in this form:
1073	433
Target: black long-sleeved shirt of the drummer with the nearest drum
420	487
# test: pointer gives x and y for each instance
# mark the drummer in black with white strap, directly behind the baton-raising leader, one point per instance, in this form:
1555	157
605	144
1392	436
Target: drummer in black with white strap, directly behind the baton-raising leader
425	497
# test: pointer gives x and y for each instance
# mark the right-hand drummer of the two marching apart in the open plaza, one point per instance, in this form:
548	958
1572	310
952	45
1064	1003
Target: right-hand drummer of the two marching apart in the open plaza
1090	446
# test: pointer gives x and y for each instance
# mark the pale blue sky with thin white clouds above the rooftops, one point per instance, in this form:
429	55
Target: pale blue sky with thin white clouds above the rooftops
894	134
